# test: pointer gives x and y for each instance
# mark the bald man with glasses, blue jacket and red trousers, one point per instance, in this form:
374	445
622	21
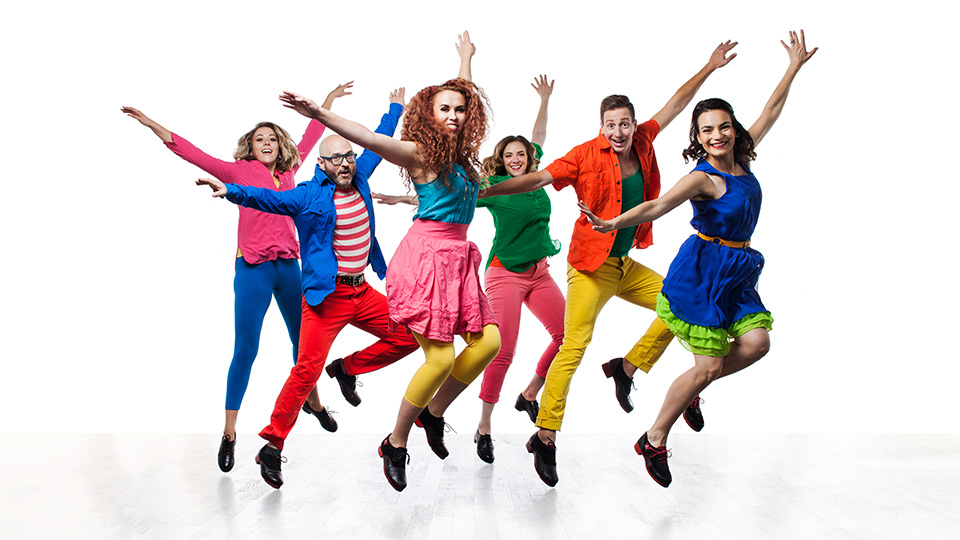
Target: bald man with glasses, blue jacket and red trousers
334	218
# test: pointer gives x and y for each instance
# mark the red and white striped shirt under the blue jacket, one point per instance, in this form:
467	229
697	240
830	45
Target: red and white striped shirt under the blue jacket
351	236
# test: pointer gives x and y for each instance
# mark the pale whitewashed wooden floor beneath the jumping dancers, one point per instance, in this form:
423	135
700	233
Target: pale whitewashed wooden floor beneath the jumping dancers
725	486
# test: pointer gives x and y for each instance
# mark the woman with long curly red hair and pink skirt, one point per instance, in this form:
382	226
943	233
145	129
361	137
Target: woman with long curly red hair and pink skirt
433	283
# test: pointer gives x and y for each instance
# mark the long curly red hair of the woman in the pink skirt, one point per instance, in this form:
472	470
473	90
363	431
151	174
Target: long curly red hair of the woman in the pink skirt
438	149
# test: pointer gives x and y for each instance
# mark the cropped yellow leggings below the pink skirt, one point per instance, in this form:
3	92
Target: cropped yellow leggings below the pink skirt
442	362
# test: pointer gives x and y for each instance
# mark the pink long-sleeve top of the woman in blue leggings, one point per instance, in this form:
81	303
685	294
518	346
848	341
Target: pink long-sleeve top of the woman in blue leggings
261	237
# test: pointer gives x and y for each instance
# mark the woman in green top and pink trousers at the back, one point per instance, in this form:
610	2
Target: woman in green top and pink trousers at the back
517	271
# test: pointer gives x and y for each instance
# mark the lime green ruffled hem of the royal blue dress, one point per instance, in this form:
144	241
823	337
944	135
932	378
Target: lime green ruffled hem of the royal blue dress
705	340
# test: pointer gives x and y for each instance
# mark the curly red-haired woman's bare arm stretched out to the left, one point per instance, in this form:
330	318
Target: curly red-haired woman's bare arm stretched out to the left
402	153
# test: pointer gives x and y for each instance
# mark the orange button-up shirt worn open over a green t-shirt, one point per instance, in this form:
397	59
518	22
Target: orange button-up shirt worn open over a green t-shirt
593	170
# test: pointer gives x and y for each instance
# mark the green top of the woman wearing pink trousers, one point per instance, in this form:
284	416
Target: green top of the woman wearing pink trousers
522	223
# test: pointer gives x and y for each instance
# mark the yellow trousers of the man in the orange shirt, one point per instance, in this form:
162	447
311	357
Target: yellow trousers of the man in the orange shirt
587	293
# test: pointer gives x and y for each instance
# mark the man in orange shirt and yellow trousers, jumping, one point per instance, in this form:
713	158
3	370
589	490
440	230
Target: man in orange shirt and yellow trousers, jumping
611	174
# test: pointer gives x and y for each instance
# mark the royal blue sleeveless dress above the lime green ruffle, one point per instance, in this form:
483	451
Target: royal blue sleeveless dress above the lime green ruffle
713	285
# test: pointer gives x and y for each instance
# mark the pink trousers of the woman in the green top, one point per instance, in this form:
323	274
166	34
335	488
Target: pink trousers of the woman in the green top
507	292
